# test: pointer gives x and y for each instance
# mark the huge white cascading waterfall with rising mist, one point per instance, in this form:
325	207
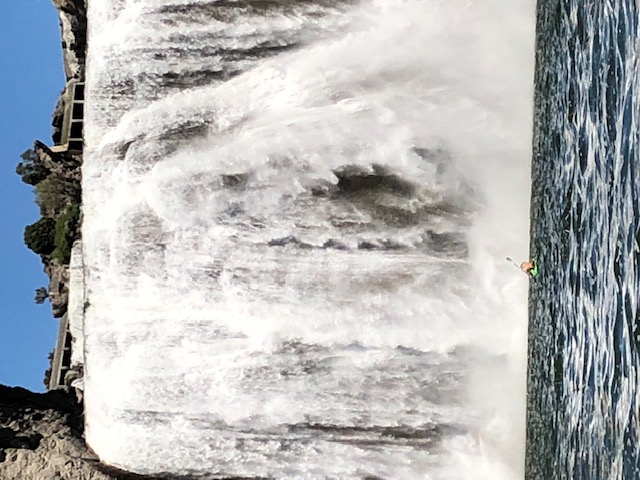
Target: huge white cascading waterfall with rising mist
296	218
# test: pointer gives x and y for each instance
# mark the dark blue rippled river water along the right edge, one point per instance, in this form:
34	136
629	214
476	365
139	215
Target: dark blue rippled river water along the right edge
584	328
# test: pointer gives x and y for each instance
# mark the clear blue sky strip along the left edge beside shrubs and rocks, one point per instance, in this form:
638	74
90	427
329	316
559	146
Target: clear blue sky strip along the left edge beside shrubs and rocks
31	77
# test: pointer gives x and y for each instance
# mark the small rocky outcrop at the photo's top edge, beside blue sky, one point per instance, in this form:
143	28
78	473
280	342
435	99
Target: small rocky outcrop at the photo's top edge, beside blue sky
73	25
